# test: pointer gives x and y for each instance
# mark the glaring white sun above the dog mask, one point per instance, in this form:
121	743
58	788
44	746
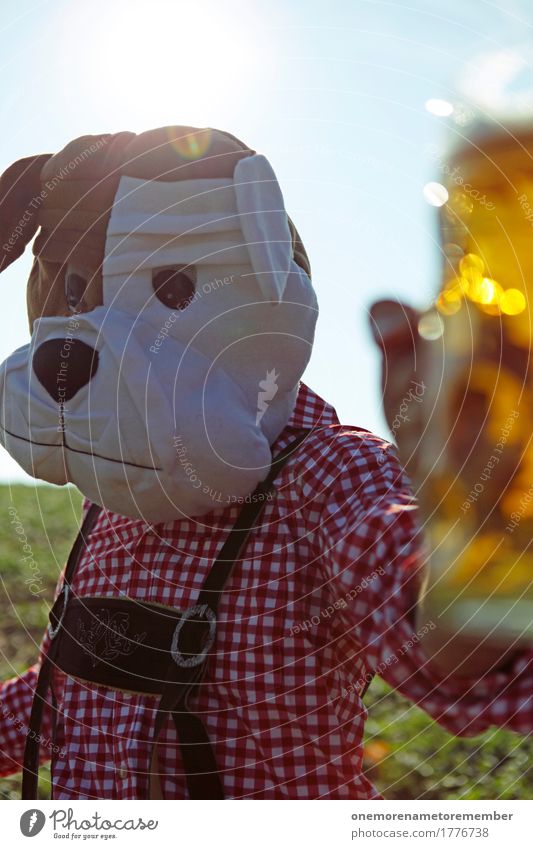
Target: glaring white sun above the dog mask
167	62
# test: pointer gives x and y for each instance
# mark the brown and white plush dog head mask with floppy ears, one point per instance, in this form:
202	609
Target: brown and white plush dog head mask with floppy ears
172	317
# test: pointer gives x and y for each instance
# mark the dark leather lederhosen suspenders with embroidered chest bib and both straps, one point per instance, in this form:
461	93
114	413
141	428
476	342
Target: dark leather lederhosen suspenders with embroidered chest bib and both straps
129	644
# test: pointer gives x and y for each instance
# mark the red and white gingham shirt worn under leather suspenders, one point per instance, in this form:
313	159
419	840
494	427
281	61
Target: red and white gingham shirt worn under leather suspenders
325	591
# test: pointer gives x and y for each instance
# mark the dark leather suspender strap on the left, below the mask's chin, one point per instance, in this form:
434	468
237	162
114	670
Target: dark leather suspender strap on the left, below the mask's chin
30	772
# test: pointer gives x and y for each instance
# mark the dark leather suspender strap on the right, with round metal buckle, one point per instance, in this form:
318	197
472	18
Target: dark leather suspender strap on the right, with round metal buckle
190	655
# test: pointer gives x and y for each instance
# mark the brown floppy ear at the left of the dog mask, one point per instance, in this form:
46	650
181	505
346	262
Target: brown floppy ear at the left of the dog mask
20	186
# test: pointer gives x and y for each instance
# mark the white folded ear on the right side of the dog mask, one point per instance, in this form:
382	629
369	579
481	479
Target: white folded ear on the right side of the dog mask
264	224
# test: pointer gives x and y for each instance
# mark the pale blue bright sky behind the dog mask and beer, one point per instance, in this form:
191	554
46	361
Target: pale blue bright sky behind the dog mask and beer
332	93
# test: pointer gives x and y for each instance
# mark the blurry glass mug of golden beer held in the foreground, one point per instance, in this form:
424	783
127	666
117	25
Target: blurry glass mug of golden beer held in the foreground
475	450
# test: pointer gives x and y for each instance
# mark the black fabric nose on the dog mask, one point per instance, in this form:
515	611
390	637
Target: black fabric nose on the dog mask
63	366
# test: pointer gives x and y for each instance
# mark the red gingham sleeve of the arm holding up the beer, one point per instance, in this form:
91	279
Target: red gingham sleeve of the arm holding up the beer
373	555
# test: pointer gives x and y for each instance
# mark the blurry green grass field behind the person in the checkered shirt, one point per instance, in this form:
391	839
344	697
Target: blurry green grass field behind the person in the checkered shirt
408	756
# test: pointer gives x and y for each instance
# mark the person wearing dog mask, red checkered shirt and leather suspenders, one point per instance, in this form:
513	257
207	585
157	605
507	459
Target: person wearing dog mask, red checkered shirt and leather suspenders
172	317
